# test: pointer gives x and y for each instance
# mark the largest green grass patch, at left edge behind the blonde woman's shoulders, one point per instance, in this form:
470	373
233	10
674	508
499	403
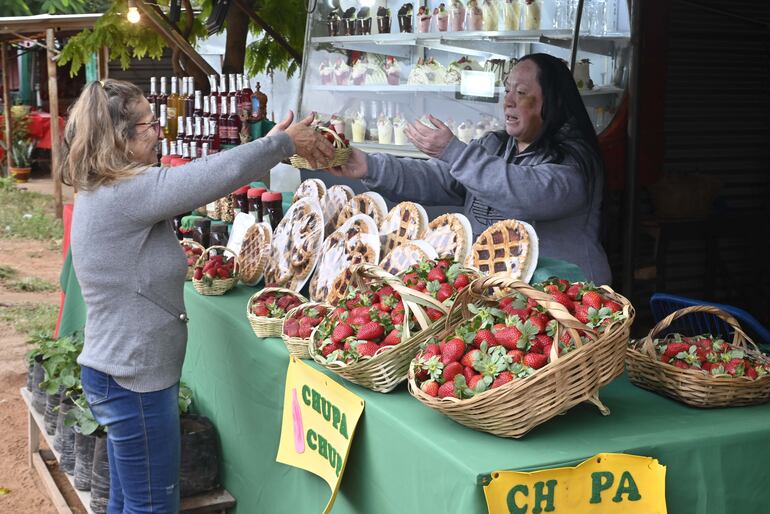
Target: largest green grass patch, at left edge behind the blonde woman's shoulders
28	215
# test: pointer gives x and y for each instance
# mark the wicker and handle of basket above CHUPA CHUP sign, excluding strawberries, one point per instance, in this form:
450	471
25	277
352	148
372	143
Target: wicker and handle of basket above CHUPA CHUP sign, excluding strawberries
389	367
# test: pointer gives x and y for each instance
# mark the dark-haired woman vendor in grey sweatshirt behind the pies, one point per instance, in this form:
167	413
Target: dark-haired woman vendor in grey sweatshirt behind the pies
544	168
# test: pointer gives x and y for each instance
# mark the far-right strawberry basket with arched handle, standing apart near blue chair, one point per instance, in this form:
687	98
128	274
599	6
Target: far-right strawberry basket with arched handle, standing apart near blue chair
702	371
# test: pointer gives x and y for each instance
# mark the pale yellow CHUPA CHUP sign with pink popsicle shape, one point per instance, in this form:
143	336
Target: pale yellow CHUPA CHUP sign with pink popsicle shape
319	420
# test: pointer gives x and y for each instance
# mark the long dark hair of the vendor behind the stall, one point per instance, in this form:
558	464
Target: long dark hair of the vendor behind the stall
561	101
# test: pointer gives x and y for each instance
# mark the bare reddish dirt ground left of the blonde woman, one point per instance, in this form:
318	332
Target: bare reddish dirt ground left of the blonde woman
27	494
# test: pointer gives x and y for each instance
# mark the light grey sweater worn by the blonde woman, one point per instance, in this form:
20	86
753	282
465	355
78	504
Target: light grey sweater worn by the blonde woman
131	268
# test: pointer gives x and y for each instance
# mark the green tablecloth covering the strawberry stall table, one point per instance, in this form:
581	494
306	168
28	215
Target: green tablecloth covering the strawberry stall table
408	458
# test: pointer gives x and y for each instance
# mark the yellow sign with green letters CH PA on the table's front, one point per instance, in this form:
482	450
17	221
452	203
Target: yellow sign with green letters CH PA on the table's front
609	483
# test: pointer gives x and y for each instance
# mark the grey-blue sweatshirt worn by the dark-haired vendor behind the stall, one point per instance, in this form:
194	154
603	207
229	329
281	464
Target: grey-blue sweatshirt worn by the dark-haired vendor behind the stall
557	190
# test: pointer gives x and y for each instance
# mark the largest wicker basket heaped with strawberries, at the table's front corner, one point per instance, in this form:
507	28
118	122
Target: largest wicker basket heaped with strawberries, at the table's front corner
515	342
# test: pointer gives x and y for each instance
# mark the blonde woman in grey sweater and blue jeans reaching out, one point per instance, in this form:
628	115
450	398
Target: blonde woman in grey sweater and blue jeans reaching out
131	270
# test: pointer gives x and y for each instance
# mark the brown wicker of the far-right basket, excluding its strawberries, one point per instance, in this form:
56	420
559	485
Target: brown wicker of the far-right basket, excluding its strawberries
695	387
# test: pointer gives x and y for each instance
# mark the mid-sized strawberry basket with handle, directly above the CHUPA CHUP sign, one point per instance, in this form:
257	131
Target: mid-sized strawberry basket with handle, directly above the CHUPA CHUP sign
371	336
